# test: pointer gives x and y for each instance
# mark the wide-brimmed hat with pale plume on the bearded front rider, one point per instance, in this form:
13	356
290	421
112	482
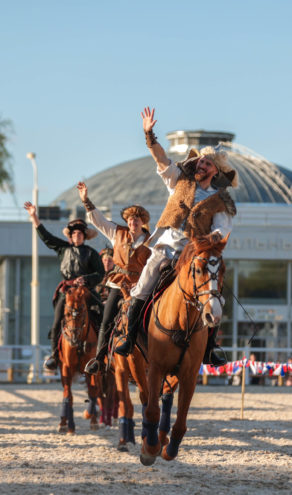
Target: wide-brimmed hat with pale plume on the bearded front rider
227	176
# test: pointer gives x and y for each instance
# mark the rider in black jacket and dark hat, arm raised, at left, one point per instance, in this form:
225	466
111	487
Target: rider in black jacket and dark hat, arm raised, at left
80	264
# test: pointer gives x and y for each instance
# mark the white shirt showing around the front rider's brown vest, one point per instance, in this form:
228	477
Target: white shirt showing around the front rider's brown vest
172	240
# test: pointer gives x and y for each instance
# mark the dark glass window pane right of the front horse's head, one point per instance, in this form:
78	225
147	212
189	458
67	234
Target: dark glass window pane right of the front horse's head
262	282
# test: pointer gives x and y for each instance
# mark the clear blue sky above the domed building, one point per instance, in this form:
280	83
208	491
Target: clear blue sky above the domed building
75	75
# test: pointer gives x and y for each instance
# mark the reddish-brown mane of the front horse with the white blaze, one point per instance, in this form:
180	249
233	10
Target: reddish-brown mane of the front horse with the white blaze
196	246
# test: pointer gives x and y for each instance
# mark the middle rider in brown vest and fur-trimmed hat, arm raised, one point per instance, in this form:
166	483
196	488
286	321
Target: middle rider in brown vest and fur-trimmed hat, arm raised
130	255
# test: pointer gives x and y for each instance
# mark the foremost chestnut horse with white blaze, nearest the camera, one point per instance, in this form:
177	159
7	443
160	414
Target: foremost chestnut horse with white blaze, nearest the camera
177	340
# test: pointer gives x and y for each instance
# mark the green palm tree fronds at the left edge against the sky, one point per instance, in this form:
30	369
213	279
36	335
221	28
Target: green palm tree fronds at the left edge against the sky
6	177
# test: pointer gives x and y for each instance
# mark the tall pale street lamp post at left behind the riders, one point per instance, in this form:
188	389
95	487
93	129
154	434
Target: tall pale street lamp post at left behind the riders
35	316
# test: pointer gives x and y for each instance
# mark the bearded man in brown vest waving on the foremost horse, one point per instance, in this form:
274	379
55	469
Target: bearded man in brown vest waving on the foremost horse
189	183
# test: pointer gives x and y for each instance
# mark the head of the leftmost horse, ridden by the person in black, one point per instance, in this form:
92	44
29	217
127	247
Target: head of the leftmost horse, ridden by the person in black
76	318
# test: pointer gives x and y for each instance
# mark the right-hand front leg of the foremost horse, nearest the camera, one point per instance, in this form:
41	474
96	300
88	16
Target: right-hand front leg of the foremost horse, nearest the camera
185	394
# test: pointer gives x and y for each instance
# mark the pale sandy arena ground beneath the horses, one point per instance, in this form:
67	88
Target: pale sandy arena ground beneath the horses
220	453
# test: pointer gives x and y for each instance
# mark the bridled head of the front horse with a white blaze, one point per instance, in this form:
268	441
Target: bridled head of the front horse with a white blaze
208	270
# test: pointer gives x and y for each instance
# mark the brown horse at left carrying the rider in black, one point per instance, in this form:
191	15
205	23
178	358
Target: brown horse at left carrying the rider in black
77	345
